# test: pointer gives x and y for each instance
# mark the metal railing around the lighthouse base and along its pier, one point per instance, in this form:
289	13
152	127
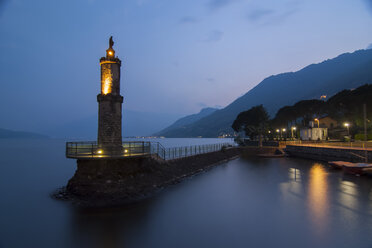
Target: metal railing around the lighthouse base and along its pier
86	150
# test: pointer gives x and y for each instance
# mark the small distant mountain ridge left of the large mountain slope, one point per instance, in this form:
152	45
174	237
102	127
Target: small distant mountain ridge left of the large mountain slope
187	120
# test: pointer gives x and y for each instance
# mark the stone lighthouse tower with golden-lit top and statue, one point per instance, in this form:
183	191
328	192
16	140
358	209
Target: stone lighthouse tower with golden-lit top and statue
109	103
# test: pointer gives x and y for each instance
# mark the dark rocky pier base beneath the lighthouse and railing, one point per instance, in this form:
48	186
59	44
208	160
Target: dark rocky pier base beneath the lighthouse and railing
116	182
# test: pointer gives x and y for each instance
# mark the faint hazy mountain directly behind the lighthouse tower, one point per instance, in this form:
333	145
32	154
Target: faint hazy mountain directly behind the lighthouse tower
134	124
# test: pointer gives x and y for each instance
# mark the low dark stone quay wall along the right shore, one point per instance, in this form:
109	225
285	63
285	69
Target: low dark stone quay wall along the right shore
329	153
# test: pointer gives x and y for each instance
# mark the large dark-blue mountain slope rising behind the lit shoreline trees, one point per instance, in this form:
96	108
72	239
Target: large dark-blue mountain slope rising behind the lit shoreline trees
346	71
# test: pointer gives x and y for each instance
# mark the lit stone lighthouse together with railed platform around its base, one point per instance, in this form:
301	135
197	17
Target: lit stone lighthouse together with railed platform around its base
109	142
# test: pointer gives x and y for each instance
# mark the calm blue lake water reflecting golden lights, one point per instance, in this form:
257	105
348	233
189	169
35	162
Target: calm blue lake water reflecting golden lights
242	203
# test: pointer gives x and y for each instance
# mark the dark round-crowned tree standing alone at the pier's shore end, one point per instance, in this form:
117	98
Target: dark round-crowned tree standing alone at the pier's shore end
254	122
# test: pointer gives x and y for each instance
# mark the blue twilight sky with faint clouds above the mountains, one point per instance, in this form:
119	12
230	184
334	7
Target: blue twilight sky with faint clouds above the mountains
178	55
